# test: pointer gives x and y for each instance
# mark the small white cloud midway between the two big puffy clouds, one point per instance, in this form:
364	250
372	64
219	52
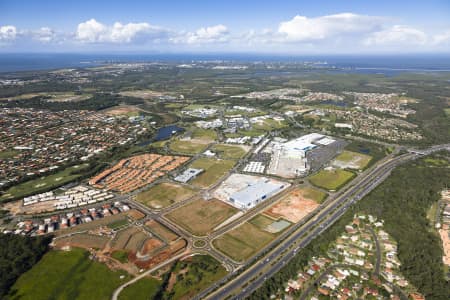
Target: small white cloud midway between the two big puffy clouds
212	34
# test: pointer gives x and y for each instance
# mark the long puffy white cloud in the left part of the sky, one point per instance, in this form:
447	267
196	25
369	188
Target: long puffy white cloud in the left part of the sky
93	31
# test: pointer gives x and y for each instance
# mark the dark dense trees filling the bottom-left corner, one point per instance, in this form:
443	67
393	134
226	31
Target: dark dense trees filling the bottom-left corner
17	255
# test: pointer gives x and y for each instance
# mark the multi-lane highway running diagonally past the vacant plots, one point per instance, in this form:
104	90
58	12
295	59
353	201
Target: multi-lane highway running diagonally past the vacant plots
245	283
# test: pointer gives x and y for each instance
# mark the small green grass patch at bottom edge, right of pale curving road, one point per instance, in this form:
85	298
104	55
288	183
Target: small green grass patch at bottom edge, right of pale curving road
143	289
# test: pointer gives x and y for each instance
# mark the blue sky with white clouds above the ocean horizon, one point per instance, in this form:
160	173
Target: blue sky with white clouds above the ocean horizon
199	26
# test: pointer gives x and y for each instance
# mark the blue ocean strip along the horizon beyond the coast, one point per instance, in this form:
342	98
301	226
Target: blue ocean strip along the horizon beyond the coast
370	64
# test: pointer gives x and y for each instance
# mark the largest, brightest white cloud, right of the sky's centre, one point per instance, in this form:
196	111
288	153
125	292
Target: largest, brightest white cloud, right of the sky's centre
304	29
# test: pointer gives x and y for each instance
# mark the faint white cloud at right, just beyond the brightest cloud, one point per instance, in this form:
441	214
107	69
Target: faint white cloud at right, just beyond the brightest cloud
397	35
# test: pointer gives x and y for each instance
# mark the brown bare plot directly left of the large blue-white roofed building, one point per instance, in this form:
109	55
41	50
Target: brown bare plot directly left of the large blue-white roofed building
200	217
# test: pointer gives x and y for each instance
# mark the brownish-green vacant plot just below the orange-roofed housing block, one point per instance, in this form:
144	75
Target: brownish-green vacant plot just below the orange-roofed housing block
164	194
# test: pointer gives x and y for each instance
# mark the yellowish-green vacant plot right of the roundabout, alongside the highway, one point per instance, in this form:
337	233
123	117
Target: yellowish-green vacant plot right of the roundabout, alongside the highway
243	242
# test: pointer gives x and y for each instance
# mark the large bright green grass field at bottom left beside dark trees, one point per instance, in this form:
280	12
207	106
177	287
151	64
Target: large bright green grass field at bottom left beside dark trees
68	275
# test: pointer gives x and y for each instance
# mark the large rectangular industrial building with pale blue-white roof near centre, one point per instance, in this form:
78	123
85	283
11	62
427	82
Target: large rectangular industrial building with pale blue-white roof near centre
255	193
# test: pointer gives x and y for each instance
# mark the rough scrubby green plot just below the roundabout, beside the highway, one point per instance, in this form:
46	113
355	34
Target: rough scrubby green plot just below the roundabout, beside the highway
195	274
